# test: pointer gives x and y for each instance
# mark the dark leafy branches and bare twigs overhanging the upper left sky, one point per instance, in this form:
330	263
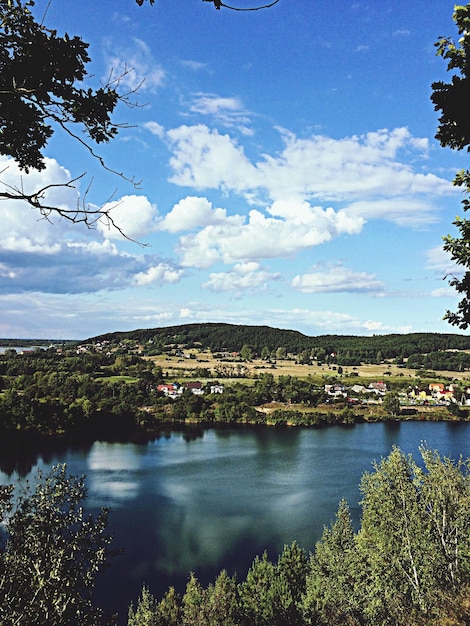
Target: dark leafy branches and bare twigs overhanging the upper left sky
41	91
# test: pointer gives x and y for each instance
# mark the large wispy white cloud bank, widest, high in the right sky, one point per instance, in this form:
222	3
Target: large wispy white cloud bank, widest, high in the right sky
358	168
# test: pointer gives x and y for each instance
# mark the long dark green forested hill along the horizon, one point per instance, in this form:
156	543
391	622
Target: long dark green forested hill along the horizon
218	337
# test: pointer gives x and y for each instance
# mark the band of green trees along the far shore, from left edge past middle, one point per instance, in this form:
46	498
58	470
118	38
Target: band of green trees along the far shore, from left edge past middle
113	396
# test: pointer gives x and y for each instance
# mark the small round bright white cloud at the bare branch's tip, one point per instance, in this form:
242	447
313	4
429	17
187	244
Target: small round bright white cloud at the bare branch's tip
134	215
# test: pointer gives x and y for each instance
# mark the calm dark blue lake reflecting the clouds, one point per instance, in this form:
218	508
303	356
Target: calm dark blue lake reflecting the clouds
217	499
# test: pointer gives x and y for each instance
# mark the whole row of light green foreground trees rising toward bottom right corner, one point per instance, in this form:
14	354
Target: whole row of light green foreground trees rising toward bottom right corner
407	565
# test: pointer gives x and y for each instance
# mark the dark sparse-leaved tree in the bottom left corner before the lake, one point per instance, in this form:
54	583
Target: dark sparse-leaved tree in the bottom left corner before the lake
51	554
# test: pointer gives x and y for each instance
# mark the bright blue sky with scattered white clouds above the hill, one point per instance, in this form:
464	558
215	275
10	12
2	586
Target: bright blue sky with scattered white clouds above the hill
285	174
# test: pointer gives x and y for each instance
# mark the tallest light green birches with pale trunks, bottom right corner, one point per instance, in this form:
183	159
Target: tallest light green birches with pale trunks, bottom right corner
409	517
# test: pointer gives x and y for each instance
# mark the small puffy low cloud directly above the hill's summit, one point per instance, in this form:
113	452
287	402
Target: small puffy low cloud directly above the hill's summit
247	276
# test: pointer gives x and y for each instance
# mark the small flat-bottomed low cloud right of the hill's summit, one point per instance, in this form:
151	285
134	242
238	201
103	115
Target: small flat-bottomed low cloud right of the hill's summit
336	279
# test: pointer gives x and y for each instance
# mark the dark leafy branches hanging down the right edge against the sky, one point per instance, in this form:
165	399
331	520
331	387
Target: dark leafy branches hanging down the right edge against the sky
453	101
